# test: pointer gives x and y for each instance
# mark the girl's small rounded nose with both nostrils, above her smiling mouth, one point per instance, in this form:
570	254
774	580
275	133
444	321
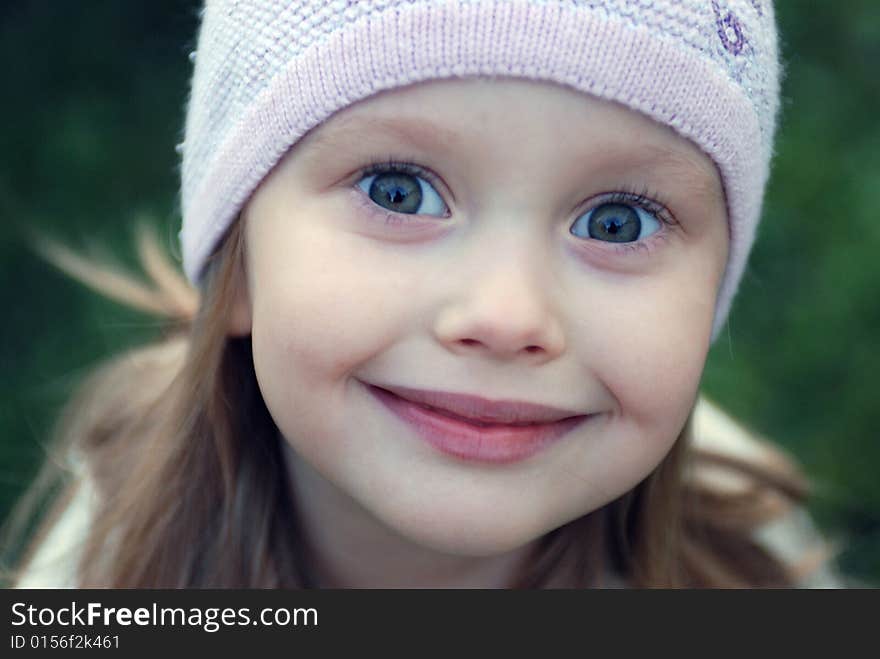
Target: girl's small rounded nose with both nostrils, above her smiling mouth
502	311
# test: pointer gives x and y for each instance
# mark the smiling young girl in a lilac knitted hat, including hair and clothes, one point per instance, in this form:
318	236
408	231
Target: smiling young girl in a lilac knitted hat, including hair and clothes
456	268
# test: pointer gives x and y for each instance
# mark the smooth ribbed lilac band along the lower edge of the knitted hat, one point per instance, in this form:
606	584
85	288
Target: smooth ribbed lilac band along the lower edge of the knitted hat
585	49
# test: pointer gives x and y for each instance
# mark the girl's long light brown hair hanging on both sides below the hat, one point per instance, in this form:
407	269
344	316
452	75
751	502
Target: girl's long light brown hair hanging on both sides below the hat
194	492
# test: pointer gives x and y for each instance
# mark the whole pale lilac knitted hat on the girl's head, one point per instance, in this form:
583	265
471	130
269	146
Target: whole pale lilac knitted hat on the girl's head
267	71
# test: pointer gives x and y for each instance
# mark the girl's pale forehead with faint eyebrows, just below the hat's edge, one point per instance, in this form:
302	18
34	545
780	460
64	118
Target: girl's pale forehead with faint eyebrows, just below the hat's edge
480	117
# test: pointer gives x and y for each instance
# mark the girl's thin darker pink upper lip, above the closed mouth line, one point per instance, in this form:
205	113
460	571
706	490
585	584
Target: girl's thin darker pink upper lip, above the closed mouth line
477	408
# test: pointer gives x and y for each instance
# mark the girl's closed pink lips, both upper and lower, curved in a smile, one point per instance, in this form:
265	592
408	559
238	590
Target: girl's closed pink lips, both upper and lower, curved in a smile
476	429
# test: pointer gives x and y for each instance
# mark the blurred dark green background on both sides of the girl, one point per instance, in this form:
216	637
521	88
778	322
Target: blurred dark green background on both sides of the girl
93	106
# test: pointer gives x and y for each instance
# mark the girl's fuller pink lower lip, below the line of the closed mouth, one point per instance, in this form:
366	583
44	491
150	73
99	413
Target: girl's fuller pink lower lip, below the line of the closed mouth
495	443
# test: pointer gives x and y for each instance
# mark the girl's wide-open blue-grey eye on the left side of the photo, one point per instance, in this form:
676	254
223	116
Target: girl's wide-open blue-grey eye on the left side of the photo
395	187
